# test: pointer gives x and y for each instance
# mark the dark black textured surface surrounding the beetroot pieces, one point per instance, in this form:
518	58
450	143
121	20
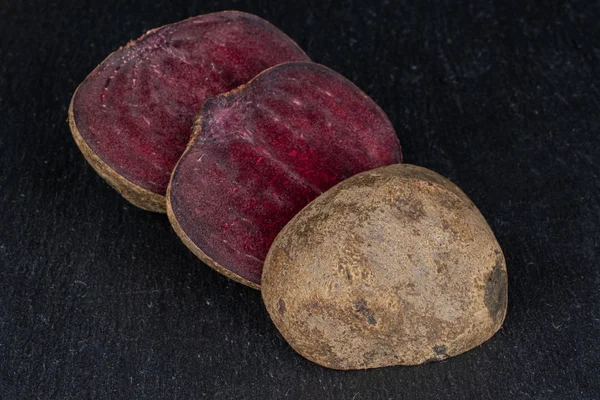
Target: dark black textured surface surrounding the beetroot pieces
101	300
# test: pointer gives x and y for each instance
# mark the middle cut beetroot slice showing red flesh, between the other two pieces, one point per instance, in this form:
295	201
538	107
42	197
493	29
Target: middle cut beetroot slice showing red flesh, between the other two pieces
262	152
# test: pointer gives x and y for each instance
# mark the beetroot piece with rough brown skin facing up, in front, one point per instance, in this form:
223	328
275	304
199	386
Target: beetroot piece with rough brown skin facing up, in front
394	266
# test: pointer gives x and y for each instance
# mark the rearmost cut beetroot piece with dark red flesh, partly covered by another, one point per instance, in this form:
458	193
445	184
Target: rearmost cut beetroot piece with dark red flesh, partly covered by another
132	116
